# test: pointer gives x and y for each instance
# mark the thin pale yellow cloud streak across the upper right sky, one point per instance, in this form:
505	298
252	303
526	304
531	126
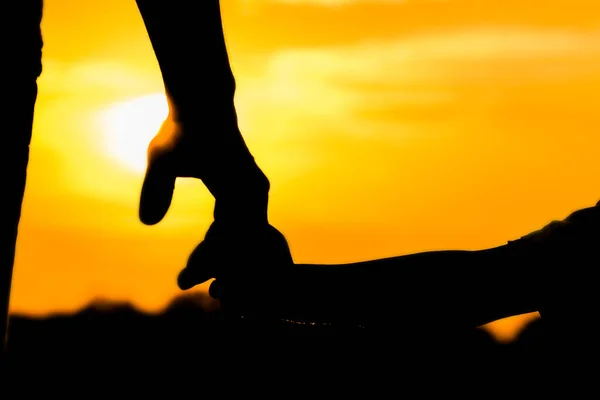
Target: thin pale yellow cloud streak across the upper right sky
415	58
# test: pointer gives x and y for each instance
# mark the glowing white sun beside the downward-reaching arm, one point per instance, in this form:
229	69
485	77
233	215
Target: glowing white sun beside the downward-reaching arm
130	126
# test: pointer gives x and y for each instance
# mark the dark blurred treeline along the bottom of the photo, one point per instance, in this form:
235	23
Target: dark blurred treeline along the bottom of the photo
119	345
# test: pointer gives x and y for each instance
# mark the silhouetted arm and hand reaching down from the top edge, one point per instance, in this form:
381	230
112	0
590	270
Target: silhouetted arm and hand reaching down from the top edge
201	137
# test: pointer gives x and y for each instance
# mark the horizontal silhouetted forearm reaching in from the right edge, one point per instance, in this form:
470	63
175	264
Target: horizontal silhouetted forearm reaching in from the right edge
551	270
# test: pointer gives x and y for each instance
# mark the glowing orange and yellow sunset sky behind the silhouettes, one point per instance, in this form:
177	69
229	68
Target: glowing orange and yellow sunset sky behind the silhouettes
386	128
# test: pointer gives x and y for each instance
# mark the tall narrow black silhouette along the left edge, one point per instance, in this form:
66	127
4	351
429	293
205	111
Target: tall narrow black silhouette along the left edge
22	60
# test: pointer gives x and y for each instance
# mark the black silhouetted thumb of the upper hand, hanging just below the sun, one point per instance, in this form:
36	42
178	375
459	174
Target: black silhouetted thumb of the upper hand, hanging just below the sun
157	190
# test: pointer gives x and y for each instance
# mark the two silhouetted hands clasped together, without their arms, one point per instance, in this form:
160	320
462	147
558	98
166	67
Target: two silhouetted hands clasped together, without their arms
242	251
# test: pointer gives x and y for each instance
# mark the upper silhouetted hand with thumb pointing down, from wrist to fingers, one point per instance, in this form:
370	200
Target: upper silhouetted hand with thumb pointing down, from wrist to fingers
221	160
